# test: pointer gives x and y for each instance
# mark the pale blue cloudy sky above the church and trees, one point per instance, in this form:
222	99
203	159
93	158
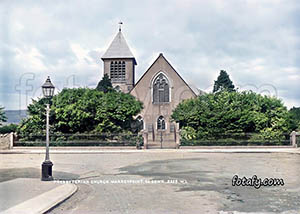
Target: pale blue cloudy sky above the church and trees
256	41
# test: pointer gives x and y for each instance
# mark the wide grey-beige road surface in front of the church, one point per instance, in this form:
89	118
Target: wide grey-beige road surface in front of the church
204	181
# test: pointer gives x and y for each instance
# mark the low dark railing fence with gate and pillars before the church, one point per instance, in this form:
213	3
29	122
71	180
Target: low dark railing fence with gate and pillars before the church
123	139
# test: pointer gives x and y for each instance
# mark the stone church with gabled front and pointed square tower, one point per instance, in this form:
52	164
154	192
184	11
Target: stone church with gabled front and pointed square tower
160	89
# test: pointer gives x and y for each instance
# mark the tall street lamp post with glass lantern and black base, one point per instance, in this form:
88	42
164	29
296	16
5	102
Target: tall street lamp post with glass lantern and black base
48	91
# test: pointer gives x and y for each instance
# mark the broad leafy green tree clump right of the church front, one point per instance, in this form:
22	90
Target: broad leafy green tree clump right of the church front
232	113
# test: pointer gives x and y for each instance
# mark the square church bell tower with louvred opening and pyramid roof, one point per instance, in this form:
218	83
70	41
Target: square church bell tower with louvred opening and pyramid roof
119	64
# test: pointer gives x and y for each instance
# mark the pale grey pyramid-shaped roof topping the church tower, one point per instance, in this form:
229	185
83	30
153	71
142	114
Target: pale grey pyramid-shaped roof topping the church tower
118	49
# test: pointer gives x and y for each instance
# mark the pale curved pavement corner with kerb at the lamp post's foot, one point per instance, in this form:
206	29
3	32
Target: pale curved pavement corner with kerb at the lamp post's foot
32	196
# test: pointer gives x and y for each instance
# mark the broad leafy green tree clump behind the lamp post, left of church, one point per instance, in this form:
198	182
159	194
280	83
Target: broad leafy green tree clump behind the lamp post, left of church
82	110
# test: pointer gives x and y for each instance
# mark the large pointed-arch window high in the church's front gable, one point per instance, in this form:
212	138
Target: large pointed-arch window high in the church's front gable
161	89
